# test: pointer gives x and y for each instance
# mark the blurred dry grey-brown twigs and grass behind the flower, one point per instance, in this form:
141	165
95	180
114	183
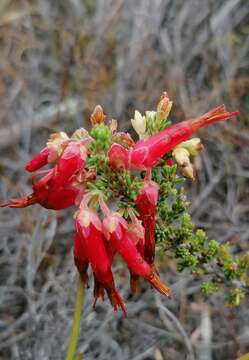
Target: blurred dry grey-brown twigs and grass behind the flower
58	59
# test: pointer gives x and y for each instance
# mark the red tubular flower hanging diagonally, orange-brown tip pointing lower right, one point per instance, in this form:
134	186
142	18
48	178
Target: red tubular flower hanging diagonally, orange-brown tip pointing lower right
116	231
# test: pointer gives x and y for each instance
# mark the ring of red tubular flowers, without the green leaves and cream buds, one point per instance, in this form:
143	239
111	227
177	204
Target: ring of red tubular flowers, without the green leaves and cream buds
100	233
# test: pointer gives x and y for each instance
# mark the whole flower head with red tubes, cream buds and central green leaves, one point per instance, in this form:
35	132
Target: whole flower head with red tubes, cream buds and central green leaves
118	186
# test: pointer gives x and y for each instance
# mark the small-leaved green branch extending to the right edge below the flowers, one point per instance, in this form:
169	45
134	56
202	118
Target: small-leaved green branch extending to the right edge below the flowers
176	233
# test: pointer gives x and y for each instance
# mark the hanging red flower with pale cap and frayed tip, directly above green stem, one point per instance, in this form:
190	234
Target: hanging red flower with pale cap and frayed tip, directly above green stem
89	229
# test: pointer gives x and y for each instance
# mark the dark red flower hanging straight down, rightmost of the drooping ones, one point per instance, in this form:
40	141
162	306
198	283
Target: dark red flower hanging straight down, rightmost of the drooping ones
146	203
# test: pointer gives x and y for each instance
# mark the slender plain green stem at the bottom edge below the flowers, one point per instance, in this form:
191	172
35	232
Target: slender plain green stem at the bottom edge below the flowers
76	321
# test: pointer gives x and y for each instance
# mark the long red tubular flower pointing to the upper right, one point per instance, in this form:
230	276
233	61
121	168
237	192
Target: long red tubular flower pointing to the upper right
146	153
